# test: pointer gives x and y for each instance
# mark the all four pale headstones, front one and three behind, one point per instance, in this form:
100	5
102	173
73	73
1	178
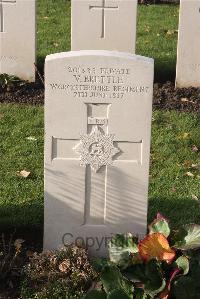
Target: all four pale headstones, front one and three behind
98	108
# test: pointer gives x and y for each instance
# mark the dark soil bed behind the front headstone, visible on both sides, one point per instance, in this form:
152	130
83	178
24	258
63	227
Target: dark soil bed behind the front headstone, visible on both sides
166	97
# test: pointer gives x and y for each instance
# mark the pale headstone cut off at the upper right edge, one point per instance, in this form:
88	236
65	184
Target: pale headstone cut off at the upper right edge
188	57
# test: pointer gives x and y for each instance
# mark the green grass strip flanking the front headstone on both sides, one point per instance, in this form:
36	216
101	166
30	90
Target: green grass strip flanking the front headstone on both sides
171	190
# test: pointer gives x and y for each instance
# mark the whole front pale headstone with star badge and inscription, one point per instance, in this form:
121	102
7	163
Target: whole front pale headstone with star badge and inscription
97	140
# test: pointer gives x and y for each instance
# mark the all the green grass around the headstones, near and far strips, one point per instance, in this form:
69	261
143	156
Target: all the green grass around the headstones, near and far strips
171	192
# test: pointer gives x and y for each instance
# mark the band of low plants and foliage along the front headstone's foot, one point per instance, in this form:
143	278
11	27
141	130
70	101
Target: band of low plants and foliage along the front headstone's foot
163	265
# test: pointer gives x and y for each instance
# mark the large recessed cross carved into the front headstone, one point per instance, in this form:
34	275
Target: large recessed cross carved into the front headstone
96	181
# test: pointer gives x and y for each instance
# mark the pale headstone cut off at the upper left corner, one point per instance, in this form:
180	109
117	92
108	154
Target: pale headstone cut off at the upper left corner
17	38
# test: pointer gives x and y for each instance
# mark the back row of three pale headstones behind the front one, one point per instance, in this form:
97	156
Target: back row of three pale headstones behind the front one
113	28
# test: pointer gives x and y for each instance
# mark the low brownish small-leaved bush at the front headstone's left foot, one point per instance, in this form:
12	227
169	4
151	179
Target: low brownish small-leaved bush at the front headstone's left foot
65	273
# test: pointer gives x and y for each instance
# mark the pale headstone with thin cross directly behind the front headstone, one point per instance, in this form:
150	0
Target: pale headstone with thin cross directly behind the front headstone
104	25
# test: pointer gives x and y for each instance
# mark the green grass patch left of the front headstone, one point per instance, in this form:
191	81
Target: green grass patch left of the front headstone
21	199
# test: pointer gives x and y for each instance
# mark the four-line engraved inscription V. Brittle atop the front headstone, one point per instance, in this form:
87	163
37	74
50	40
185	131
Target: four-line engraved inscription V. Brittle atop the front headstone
99	83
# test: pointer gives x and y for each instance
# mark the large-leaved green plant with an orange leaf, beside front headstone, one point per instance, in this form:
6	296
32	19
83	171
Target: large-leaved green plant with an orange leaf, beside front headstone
163	265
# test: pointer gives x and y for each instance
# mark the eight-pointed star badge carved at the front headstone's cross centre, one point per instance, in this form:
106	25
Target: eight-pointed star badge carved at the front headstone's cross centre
96	149
